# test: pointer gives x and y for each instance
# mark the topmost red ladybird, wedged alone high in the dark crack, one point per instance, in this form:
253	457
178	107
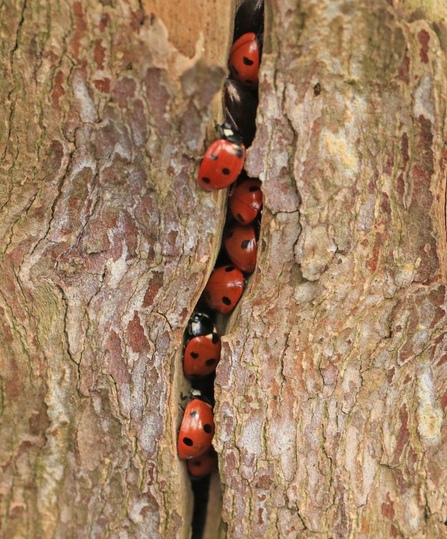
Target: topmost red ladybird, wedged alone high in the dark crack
245	56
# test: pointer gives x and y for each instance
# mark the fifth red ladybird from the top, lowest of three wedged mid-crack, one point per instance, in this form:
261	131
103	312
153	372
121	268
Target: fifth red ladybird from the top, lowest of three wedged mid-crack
224	289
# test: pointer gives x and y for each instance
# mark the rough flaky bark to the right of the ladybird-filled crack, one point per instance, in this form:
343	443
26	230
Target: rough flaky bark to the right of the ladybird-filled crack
332	389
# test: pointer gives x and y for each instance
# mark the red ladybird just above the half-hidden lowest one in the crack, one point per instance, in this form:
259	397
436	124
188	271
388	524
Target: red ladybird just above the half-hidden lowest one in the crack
196	430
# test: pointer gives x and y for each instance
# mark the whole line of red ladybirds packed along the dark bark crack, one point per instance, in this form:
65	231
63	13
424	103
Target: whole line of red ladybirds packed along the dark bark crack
221	167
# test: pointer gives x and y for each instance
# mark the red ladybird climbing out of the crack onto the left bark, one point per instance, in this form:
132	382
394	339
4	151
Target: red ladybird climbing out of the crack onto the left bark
223	161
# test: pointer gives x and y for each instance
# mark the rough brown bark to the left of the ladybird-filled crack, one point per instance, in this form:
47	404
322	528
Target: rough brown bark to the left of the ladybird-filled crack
106	244
